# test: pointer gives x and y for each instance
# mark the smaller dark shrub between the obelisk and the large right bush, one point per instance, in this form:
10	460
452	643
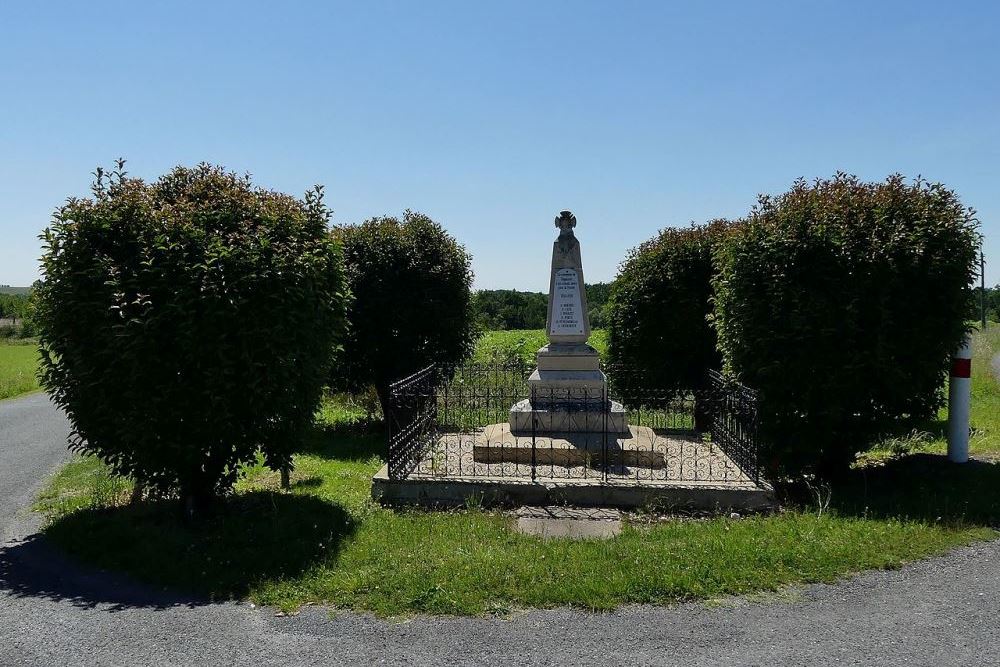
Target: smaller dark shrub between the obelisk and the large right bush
659	309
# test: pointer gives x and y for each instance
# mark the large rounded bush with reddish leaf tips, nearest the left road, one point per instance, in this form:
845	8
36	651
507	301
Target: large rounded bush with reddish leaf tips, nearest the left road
187	324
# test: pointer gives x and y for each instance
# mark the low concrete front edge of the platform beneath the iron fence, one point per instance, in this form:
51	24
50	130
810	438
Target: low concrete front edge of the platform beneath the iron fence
513	492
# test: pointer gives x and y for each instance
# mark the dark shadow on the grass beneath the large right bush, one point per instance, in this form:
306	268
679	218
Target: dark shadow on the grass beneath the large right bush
922	487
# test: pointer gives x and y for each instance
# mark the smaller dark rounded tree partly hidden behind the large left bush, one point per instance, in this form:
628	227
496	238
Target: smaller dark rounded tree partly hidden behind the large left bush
412	302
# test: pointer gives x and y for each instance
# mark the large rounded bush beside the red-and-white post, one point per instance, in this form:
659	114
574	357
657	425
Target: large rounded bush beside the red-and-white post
841	303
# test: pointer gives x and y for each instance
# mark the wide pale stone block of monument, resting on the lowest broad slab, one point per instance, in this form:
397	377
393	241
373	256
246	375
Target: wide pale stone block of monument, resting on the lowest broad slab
584	416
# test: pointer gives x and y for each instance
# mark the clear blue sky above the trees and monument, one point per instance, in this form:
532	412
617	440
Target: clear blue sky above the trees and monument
492	117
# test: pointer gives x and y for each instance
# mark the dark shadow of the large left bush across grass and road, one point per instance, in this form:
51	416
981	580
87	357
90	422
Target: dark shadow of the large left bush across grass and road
252	537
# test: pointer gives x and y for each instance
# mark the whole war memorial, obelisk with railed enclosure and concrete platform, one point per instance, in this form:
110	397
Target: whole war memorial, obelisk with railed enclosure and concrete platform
565	438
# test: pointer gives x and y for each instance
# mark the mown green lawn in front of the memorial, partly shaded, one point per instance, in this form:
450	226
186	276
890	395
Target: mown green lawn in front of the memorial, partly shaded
326	542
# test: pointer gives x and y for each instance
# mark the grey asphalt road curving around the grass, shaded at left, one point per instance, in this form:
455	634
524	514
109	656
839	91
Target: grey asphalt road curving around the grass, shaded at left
943	611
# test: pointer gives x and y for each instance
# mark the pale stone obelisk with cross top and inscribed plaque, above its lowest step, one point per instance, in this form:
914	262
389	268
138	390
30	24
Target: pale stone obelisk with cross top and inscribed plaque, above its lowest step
568	388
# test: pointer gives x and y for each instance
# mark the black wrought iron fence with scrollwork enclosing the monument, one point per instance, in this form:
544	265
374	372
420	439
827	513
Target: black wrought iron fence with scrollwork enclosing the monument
486	420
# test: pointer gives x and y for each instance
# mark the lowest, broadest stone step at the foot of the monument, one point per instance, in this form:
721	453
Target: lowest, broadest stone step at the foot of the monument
638	446
